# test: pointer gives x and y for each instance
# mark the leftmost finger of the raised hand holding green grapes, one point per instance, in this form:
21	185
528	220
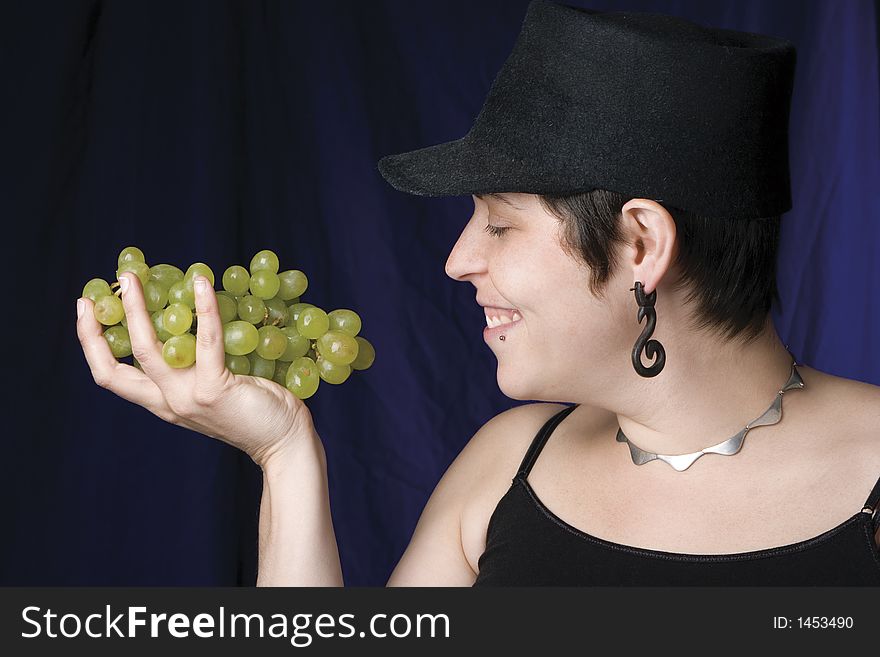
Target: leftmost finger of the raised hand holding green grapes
124	380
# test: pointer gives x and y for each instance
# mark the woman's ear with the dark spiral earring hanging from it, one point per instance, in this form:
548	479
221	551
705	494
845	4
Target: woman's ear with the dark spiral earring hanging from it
650	231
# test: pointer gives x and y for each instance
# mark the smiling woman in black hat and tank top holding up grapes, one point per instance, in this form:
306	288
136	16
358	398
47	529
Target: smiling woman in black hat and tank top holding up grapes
674	465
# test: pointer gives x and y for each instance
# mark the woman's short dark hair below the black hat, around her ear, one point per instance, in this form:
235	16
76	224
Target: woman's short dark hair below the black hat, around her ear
727	266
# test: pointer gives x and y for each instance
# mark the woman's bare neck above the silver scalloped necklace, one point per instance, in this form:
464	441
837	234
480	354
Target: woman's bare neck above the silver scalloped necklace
706	393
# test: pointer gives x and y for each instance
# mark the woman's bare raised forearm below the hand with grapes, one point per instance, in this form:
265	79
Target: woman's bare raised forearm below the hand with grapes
297	544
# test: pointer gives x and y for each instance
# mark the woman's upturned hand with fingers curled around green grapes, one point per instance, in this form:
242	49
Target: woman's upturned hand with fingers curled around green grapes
256	415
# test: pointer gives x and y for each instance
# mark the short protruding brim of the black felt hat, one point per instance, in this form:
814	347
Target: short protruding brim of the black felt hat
453	168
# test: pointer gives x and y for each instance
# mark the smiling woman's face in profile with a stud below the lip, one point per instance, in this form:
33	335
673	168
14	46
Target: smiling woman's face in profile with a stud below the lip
556	333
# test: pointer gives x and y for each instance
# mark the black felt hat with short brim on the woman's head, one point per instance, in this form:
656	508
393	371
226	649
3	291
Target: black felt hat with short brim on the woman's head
646	105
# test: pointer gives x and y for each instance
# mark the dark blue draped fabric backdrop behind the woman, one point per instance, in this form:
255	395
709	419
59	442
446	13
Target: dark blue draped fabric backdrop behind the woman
208	130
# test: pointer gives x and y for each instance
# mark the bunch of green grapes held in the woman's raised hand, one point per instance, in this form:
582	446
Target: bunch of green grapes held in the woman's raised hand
268	331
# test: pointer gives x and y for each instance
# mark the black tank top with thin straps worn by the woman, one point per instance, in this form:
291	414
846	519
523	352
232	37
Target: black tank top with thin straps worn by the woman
528	545
